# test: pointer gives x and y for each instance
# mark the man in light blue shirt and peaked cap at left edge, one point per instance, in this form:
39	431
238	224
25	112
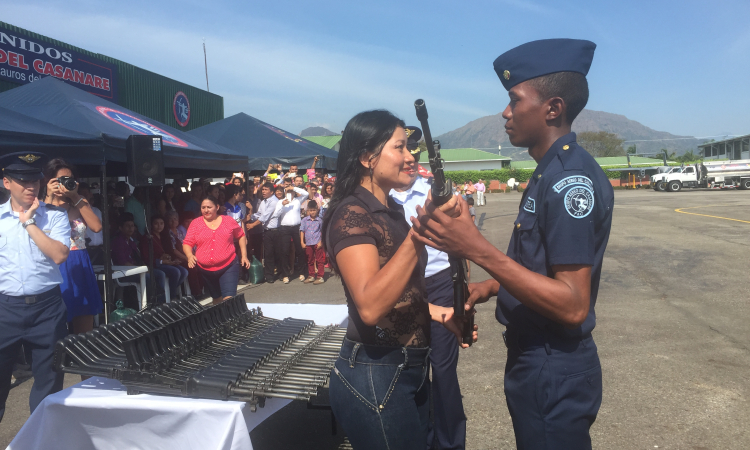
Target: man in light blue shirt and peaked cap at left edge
34	240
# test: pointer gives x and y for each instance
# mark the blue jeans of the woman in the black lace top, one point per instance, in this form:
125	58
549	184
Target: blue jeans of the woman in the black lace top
381	395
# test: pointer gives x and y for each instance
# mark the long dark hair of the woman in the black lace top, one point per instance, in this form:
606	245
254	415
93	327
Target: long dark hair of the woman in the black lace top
367	132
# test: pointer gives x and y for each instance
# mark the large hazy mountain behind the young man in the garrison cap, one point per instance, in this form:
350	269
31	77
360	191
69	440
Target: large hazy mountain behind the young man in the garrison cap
489	132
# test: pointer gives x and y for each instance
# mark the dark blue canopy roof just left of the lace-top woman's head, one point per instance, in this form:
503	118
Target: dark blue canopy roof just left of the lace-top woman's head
264	144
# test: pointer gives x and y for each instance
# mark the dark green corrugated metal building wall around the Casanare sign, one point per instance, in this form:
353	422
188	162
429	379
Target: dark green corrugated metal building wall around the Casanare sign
145	92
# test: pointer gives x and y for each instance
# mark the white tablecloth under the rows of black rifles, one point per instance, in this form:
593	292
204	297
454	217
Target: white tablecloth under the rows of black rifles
98	413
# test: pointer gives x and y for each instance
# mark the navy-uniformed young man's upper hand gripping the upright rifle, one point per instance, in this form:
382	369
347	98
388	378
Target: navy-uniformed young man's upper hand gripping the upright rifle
456	236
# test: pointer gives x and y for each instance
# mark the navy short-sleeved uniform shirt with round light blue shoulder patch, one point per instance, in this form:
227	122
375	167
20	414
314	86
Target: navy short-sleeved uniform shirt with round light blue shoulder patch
564	217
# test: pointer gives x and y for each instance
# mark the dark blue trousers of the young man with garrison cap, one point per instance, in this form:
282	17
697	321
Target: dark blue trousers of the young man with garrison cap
553	388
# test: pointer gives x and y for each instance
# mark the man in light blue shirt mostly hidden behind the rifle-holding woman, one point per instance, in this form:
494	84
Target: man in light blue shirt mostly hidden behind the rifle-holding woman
448	429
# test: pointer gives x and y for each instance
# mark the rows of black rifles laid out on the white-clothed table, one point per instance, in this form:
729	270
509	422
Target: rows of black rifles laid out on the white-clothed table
225	352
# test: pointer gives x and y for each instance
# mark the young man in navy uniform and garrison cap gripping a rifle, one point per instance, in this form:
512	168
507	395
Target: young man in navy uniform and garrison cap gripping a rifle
547	283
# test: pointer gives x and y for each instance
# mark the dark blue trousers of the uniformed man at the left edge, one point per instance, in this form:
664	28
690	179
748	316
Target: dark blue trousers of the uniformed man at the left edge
37	326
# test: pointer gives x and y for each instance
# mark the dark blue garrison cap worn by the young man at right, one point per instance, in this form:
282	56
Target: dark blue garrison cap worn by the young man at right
537	58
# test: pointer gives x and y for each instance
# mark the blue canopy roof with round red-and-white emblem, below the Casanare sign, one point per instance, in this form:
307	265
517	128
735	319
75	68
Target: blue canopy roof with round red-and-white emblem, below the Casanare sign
65	107
